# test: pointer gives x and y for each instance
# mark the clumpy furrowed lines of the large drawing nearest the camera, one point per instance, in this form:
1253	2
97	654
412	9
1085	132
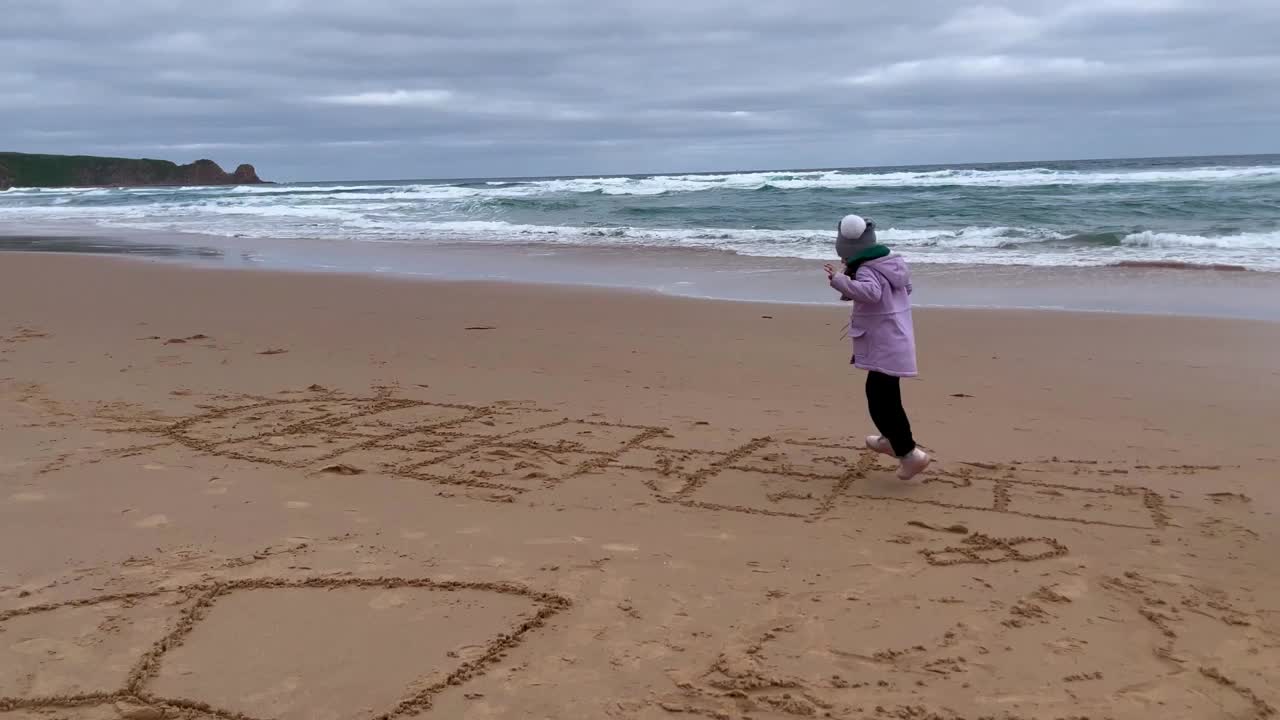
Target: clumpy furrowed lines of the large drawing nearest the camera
203	598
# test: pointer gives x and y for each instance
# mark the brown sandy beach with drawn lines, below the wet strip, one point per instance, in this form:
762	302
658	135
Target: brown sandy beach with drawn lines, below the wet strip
252	496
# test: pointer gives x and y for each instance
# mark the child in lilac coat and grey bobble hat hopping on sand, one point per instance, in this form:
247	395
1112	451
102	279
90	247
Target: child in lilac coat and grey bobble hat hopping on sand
880	285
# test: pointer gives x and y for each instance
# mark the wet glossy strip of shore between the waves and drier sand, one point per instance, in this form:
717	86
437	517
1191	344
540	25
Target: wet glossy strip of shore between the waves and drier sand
1154	289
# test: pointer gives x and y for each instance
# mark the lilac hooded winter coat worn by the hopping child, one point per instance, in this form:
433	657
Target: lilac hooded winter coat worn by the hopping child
881	322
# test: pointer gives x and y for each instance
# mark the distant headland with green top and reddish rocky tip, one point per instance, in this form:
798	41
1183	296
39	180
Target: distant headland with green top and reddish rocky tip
21	170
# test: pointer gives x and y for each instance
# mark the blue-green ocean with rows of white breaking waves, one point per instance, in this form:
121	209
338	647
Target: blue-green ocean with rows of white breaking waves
1068	215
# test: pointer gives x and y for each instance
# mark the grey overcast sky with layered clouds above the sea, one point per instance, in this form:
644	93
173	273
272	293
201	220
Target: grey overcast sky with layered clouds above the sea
399	89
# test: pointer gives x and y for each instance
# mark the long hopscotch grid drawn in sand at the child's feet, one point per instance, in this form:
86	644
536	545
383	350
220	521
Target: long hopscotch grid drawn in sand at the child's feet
497	448
